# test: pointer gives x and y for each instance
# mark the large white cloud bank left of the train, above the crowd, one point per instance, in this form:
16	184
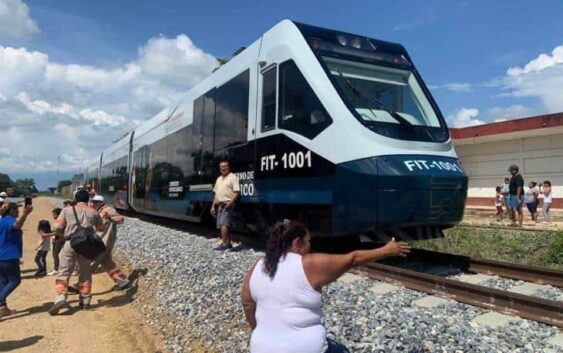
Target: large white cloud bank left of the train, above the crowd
51	109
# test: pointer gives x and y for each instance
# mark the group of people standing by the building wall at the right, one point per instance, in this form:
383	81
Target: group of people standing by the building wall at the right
511	197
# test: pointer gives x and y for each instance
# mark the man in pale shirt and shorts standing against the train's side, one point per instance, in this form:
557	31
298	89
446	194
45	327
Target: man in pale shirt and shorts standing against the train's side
227	192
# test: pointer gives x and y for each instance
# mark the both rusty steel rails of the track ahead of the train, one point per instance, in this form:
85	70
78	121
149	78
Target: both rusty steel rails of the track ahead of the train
542	310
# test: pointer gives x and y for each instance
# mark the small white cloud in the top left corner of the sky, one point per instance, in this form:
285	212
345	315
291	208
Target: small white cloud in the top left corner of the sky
15	21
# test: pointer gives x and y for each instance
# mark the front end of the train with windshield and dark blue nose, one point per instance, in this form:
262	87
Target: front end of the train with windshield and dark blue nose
395	170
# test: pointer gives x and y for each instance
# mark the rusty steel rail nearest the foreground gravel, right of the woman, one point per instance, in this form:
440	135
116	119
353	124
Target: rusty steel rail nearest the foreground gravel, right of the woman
546	311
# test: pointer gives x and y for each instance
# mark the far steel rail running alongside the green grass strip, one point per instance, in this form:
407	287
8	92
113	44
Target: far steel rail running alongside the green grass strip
521	272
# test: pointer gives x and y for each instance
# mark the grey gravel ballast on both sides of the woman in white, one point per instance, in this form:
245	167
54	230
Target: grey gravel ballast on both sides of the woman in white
190	294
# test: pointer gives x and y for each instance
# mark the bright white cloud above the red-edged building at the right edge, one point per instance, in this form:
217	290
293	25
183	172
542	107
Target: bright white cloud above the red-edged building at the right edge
541	78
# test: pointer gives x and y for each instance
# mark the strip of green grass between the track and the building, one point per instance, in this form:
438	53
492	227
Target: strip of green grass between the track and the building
543	249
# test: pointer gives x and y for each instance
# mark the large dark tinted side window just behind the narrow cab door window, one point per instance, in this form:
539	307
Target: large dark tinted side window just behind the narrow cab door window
232	112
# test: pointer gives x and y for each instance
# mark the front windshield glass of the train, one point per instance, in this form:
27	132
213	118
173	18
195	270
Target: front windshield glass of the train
381	94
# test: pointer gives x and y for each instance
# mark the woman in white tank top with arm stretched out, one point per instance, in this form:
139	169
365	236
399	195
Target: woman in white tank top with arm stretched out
281	293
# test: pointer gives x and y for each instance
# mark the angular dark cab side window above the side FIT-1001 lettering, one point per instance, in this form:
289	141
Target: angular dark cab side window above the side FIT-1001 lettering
300	109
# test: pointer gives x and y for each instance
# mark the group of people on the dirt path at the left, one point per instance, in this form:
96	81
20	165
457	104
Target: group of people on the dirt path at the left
86	217
